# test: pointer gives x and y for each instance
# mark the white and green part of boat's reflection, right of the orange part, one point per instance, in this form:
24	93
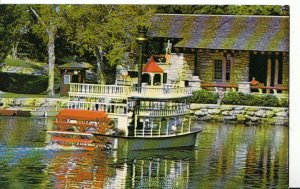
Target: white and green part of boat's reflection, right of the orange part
169	168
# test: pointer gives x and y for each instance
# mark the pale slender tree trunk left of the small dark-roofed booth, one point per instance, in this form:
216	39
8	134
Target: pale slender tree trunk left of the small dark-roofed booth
51	61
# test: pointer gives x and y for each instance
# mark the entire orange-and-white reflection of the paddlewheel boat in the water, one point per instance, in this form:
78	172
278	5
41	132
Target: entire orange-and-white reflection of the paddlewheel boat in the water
145	169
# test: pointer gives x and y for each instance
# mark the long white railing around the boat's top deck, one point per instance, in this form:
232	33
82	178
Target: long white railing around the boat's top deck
165	91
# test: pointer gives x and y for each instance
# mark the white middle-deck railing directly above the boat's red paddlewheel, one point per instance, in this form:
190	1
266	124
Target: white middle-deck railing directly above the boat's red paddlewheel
110	108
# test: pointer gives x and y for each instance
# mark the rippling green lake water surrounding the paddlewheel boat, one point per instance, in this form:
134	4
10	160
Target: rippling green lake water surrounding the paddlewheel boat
226	156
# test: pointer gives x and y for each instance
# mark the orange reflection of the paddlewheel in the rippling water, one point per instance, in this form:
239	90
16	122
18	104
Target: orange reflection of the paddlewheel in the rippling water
78	169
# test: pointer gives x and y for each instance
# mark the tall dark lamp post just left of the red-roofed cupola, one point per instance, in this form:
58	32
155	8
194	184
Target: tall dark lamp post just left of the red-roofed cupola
141	39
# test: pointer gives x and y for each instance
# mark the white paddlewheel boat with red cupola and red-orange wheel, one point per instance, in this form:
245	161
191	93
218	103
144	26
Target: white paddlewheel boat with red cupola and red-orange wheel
153	116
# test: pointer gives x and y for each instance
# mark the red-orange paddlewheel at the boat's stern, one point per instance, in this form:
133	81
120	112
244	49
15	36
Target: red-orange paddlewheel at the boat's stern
77	122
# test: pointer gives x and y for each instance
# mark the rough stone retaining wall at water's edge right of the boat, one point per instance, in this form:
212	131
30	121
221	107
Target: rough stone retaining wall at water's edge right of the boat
250	115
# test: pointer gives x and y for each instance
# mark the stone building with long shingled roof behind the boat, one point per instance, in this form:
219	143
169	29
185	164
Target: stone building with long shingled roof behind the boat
223	50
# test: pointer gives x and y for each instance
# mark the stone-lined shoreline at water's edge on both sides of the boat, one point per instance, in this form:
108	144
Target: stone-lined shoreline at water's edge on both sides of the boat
249	115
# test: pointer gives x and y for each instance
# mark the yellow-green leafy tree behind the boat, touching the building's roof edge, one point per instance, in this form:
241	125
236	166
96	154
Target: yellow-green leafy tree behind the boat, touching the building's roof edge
108	31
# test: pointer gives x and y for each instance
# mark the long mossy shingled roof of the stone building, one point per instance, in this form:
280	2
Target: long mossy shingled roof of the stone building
259	33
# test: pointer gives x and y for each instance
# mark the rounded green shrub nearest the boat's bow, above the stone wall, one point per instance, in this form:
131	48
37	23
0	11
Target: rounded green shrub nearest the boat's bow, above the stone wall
204	97
